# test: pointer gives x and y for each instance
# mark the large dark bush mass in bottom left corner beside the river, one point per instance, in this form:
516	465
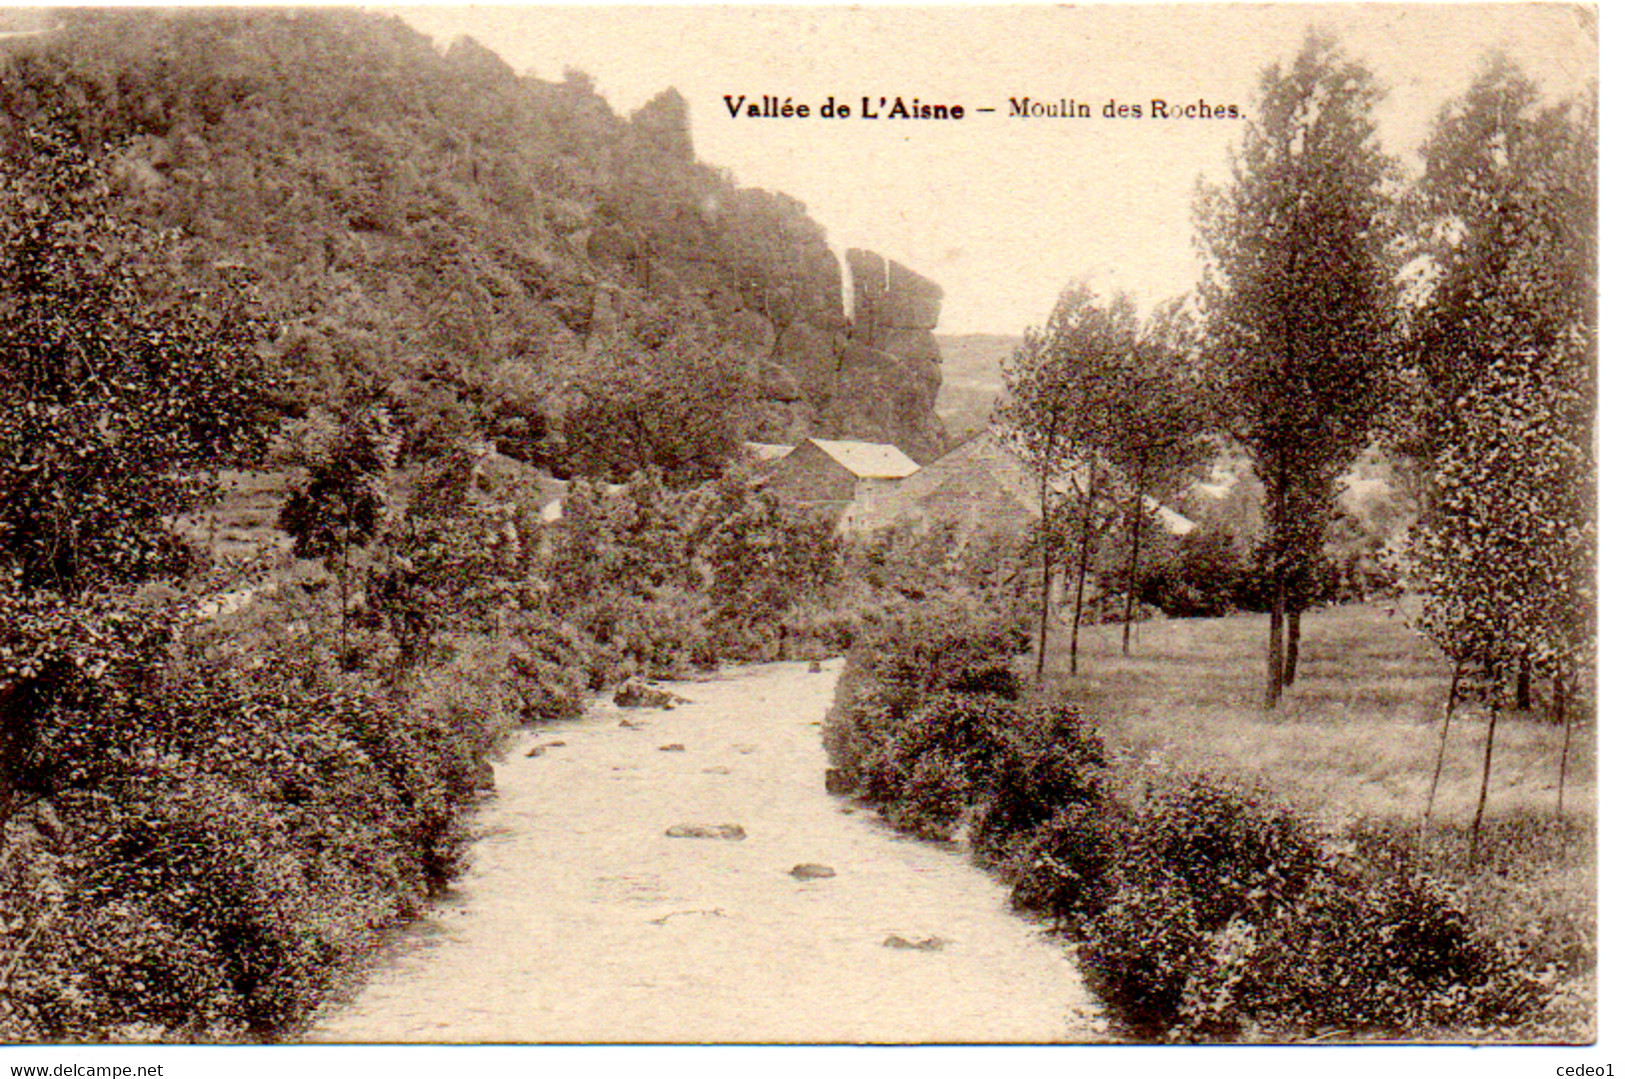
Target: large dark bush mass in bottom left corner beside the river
215	834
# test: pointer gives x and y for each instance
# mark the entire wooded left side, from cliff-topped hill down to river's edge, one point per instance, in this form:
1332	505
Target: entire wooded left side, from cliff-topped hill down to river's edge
308	249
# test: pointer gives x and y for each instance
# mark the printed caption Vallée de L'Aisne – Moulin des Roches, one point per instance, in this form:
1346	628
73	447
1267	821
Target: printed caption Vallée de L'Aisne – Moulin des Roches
774	108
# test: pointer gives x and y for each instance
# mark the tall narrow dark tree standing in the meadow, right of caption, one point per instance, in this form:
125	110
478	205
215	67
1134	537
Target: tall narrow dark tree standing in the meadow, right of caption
1299	305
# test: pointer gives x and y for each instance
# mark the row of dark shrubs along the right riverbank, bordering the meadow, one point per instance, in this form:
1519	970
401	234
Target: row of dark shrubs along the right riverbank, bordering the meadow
1202	909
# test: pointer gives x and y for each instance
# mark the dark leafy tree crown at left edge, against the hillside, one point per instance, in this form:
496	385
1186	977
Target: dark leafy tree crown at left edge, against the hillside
126	381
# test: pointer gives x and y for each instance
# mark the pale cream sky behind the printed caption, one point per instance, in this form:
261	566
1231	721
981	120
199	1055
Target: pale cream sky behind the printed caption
1003	212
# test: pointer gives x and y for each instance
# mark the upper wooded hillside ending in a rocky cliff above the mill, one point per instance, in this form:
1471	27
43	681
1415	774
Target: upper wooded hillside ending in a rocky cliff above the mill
444	235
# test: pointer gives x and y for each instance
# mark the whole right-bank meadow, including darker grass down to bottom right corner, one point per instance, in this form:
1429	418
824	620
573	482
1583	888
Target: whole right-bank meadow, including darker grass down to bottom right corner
1353	747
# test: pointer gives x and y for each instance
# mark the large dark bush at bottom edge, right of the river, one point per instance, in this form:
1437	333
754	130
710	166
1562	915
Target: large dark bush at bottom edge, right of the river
1228	919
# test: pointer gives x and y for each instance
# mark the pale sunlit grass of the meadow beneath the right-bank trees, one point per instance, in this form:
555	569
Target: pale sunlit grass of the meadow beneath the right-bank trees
1354	739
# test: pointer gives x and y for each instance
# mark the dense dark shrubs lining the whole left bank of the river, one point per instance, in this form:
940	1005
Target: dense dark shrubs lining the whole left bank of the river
206	820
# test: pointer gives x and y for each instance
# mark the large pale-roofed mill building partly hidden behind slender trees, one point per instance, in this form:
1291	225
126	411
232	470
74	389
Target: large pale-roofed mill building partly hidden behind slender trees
984	488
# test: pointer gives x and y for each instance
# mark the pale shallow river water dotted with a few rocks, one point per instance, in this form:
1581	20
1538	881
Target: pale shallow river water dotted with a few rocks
581	921
